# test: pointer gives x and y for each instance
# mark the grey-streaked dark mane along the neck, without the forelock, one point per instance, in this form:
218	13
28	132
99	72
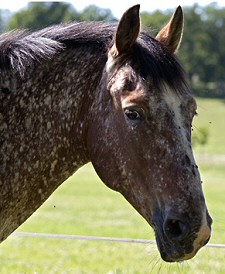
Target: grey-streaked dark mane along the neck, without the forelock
20	49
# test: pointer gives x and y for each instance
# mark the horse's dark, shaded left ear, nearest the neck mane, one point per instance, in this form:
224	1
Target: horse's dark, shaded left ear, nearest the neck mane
127	31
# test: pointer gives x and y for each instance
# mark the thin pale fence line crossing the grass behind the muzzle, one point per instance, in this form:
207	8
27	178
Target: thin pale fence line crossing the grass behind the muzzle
95	238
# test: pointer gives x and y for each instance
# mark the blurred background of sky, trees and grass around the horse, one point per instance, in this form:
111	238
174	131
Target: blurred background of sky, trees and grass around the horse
85	206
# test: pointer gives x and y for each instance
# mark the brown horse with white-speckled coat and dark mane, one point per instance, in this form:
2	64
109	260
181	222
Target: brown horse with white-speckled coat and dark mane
112	95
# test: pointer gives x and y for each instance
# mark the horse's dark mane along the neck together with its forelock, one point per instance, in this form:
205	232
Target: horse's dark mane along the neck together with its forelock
21	49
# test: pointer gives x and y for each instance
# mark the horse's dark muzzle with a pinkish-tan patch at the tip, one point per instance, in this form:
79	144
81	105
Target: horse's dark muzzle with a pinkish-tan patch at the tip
179	237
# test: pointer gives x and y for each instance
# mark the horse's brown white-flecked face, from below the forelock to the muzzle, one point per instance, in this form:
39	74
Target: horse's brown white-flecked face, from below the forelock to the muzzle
143	150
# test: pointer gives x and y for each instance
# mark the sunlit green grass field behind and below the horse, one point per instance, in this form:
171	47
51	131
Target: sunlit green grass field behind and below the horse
85	206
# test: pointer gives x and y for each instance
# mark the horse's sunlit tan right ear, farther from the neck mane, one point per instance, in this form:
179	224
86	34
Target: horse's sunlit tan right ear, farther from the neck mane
171	34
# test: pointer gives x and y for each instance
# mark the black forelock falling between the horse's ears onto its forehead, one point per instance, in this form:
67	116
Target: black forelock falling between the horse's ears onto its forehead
157	62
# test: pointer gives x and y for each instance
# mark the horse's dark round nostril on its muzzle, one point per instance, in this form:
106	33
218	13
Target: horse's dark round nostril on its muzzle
176	229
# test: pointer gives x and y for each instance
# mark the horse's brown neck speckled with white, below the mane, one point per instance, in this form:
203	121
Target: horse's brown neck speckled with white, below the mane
42	132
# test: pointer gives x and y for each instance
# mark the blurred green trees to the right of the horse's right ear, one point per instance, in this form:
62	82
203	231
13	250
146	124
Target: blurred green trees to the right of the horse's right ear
202	51
